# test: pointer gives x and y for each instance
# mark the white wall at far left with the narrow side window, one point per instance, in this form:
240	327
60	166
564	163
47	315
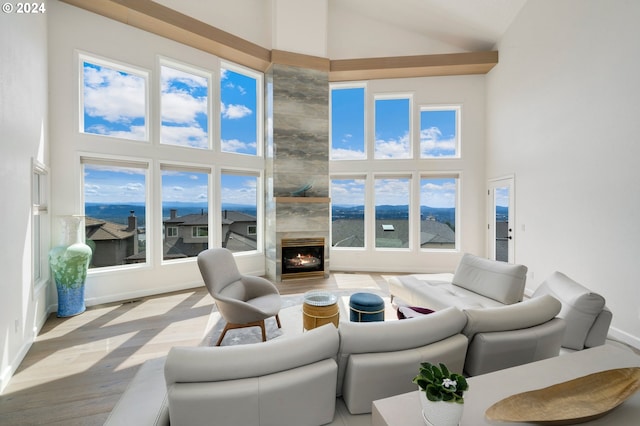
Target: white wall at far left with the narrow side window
23	138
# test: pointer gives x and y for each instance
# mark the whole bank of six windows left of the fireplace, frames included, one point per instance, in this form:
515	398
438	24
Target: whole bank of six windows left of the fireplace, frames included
173	170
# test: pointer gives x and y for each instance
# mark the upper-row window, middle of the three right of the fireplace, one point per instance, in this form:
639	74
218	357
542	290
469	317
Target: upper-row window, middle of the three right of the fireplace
392	125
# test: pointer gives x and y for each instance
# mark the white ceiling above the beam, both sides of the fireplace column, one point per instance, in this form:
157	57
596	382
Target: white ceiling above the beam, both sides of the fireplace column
468	25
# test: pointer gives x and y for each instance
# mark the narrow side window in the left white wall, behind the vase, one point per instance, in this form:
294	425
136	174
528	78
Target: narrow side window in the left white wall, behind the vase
39	199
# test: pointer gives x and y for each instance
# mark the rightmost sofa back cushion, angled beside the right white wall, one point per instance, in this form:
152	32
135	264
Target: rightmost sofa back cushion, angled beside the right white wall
580	307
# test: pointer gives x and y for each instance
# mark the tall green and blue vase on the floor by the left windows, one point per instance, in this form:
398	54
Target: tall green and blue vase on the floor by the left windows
69	263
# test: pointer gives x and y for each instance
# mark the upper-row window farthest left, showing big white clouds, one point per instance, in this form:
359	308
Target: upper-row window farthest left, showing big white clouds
113	100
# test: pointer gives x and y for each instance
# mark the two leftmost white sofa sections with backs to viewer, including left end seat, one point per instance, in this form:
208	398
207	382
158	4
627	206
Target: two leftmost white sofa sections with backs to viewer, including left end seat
291	380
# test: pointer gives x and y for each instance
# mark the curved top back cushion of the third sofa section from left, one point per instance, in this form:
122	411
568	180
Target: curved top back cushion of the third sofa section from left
525	314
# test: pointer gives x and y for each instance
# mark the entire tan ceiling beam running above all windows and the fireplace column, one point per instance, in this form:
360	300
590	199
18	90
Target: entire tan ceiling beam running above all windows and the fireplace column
163	21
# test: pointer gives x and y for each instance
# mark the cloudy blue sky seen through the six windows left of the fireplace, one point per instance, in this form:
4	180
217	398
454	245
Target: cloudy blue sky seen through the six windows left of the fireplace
115	105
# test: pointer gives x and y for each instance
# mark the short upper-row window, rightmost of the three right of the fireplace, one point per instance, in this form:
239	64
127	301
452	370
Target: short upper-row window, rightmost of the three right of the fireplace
439	132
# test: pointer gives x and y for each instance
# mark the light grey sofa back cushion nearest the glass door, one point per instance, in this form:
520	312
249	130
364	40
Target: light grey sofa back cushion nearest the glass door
496	280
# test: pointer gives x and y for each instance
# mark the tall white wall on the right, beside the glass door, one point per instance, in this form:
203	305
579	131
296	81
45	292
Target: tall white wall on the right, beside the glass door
562	116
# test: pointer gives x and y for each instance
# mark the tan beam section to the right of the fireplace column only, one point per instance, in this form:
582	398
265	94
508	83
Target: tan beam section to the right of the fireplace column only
413	66
